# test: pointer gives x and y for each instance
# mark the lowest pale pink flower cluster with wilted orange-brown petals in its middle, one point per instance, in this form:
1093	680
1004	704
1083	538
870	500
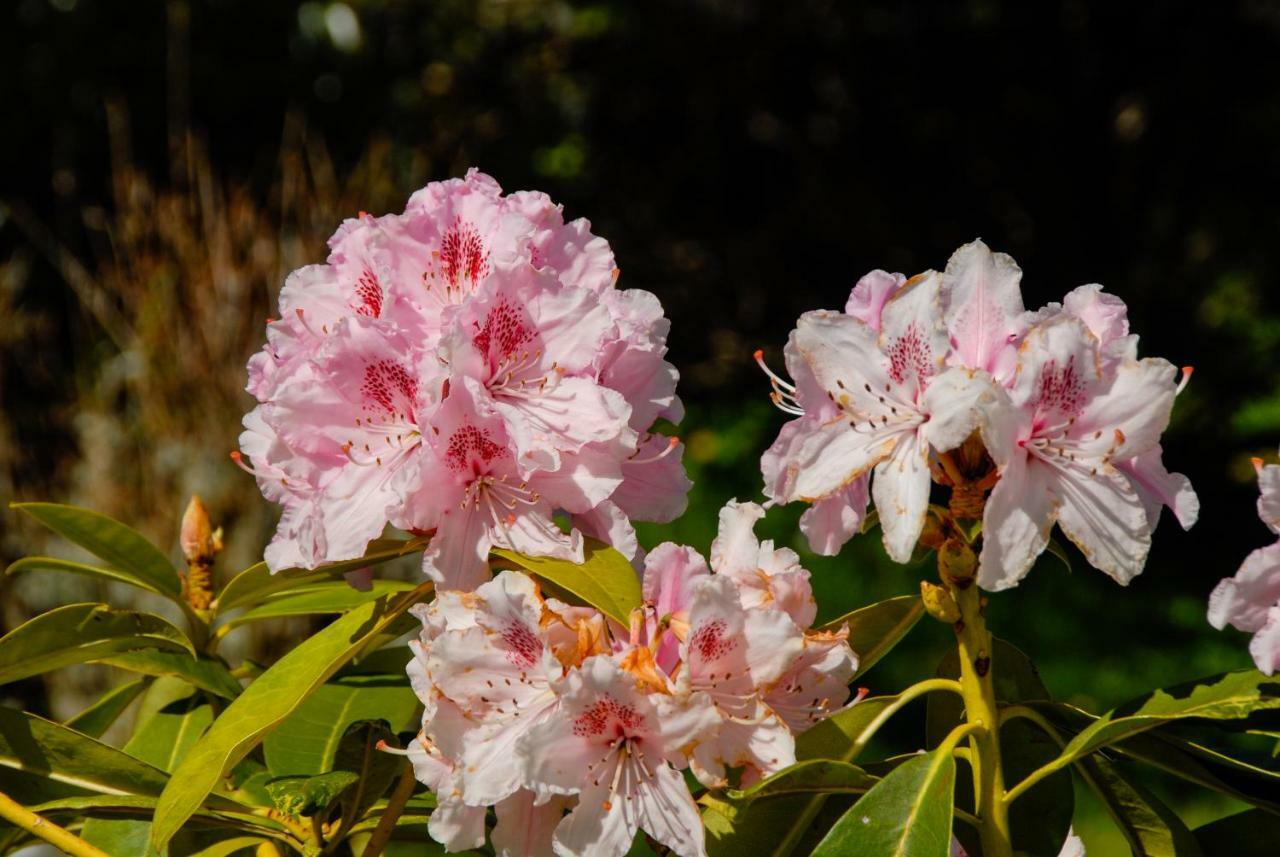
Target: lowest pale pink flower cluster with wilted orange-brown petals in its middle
577	730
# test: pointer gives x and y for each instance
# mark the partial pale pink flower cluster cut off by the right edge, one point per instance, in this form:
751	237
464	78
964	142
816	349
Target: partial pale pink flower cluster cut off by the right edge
1251	601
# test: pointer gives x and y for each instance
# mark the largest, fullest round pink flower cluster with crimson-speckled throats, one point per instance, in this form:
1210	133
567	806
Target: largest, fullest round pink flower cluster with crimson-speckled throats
468	369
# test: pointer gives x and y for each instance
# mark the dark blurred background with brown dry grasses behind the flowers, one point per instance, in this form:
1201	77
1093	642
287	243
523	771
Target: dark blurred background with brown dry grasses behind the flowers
747	161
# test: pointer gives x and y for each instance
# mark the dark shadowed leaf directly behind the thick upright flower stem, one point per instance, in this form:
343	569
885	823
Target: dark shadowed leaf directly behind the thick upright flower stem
1041	818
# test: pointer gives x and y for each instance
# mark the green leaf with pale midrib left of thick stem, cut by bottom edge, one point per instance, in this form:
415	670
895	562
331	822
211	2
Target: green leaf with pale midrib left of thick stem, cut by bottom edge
908	814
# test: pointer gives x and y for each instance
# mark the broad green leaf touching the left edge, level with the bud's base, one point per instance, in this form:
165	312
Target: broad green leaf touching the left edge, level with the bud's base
83	633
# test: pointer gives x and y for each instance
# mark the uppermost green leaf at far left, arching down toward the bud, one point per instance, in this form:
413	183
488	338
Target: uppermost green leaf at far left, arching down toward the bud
134	558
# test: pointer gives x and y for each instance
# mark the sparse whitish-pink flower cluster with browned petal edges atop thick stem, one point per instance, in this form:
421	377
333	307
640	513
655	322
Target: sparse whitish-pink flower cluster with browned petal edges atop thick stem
1068	413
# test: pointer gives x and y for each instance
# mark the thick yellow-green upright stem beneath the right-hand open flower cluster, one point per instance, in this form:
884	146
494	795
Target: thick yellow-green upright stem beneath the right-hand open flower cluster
977	671
